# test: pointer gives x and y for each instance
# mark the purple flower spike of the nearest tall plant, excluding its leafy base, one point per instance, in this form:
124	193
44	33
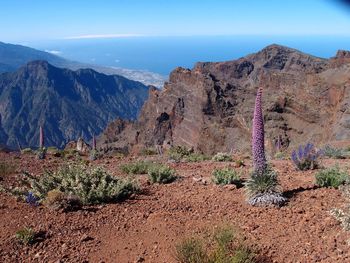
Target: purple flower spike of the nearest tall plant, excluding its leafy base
259	159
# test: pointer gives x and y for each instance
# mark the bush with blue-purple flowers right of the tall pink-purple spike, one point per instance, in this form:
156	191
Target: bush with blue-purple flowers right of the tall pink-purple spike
306	158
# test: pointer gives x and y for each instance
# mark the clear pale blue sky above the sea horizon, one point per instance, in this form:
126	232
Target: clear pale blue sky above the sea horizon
31	20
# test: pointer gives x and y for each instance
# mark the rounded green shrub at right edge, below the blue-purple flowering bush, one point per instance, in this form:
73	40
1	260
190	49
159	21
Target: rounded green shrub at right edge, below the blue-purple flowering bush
331	177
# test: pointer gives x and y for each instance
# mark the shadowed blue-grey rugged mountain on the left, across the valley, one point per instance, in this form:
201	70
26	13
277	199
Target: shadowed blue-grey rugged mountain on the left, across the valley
68	104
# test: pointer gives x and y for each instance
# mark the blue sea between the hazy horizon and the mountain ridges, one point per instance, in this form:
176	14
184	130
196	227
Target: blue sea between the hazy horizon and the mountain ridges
163	54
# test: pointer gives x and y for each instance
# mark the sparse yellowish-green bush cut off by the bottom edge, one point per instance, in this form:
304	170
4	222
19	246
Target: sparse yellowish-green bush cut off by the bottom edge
222	245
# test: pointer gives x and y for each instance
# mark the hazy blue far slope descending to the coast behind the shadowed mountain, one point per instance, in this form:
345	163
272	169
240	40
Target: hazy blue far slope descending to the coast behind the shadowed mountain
14	56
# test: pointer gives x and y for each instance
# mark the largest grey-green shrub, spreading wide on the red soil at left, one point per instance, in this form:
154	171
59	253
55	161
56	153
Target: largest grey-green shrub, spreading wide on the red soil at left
91	186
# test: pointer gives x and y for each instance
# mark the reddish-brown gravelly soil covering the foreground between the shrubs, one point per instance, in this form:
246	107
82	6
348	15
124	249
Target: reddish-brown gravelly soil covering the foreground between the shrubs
147	227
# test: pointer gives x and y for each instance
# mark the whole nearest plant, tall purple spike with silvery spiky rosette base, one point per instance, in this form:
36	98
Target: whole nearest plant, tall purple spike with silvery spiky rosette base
262	188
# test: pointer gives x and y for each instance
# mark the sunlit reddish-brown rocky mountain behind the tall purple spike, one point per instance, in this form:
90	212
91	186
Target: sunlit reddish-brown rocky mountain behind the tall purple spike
210	108
